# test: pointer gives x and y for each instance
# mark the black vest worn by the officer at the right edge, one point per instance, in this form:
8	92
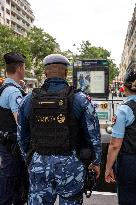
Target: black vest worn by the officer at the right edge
129	142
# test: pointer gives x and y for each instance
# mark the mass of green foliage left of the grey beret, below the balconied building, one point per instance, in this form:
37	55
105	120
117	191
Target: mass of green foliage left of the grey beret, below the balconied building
35	46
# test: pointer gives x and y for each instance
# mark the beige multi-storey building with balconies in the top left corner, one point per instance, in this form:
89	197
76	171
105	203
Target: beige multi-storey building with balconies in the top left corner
17	14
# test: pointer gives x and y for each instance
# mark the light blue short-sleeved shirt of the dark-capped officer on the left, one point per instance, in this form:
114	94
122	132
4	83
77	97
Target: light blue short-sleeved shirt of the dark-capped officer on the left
11	97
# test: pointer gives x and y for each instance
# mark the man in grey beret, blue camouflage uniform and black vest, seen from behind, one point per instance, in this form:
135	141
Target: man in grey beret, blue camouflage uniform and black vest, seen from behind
50	121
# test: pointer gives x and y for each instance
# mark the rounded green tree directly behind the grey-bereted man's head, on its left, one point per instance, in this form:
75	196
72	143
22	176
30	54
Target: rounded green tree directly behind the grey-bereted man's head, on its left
41	45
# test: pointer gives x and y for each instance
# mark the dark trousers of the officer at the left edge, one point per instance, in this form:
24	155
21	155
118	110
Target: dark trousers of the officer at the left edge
11	176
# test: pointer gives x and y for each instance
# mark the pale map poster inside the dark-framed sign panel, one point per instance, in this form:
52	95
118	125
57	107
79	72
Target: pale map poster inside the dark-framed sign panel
91	81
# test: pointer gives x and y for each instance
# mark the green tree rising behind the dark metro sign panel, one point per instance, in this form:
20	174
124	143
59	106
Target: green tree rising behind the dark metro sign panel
87	51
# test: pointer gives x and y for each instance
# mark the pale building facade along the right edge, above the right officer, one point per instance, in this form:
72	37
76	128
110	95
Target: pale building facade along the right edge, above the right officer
129	52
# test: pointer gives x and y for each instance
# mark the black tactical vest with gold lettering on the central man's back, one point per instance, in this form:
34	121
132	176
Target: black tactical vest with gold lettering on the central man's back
54	129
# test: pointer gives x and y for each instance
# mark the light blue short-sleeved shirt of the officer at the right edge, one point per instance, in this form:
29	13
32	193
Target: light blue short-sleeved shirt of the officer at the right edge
124	118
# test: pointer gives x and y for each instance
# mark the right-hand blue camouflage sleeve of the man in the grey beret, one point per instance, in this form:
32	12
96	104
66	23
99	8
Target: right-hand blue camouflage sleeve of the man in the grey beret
90	124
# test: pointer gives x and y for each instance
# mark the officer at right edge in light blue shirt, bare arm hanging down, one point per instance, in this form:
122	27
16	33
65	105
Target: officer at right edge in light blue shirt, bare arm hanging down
123	143
